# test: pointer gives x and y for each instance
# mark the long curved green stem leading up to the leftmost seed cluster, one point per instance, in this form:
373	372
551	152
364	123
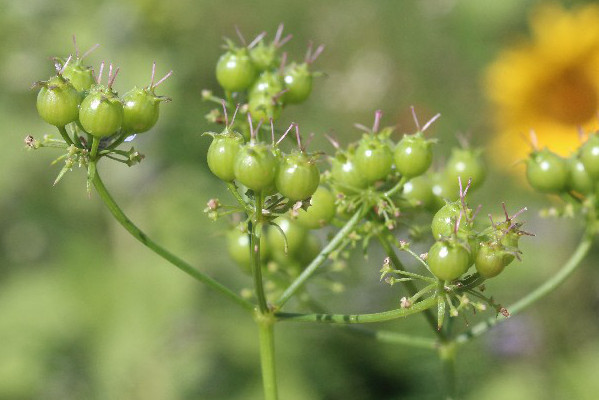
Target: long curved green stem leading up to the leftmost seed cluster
176	261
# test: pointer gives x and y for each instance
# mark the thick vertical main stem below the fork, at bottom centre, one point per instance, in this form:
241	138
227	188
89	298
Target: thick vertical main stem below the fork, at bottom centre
267	357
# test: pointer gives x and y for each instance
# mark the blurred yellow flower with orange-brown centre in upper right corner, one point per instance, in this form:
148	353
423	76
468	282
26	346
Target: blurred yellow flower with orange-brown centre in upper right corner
549	84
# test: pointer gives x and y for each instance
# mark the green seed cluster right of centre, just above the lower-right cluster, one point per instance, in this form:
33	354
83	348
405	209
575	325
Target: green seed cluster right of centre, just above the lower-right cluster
376	161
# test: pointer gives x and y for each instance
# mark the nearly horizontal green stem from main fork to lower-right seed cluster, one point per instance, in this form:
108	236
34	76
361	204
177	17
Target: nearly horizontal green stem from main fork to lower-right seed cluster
359	318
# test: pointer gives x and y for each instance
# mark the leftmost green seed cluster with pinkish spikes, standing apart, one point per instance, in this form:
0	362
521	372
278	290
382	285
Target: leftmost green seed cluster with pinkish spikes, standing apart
92	119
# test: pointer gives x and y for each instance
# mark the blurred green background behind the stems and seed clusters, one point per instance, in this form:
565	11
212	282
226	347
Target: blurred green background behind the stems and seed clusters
88	313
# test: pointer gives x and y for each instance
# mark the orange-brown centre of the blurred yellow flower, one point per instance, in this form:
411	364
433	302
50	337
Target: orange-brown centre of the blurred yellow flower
570	98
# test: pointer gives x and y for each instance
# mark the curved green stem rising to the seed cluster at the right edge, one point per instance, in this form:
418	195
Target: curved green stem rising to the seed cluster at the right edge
549	286
